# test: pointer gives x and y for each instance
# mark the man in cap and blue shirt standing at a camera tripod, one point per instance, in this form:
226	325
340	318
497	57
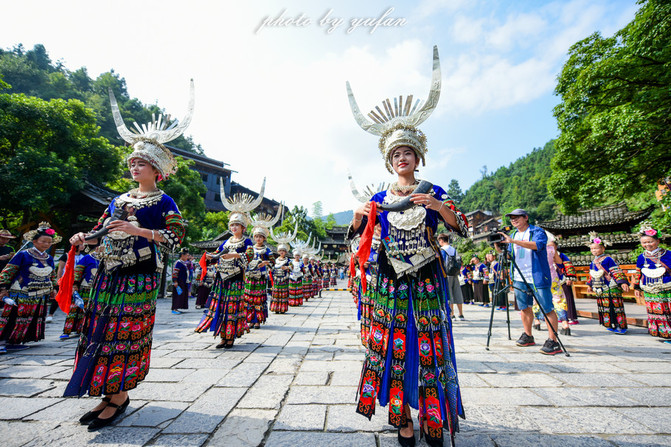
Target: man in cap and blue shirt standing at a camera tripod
527	247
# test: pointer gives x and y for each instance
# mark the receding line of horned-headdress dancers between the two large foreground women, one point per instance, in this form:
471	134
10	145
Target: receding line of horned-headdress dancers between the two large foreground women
241	271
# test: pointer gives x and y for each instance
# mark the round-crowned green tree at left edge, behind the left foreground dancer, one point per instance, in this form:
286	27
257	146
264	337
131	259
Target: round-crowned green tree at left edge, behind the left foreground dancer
48	149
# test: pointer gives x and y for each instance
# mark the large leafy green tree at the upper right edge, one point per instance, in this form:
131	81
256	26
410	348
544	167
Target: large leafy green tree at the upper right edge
614	115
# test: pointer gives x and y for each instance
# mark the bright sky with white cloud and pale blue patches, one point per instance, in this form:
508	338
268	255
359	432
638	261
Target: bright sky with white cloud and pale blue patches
271	100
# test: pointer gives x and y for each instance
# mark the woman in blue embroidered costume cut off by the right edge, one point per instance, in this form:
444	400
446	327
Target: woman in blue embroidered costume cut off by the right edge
653	282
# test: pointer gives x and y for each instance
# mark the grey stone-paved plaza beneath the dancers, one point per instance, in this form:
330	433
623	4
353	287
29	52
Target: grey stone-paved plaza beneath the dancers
293	383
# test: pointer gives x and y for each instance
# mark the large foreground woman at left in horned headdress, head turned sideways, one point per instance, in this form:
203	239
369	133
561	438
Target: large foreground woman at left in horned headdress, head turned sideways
114	349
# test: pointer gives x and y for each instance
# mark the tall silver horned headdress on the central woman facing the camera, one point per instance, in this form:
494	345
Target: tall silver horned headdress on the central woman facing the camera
397	124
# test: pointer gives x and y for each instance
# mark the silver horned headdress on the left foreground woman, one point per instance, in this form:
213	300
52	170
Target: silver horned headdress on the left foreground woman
148	139
